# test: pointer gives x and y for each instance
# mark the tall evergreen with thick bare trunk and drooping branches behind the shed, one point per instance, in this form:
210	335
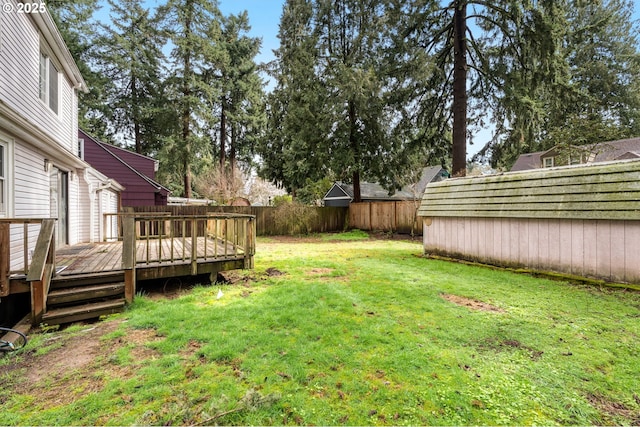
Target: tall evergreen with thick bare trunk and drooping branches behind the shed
463	35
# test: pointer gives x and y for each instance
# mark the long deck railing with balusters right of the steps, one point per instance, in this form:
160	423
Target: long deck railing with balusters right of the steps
157	240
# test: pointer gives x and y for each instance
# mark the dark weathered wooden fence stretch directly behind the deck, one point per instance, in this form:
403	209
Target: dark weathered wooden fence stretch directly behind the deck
269	219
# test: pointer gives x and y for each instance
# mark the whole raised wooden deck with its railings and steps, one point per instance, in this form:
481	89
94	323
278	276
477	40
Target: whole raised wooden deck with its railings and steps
143	248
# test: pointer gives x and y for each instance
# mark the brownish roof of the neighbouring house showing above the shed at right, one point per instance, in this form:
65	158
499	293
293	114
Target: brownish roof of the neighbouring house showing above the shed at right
604	152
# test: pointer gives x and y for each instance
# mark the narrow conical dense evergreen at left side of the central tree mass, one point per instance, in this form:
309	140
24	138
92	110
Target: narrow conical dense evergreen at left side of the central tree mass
292	150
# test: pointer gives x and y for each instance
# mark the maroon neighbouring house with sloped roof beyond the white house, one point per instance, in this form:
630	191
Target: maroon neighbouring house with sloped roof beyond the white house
110	160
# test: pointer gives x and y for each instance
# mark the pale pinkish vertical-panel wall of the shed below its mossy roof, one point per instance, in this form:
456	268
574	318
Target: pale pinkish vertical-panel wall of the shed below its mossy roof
607	250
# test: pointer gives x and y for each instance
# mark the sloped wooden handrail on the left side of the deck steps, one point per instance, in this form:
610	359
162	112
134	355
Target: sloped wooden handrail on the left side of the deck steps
42	269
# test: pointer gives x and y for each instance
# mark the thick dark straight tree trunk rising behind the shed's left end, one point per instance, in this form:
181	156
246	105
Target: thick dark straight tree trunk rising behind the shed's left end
459	151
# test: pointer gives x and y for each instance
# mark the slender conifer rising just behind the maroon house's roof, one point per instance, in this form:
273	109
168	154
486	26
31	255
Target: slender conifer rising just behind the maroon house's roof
132	58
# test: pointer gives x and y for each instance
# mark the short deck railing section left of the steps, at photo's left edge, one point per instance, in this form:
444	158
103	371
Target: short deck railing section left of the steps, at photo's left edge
17	239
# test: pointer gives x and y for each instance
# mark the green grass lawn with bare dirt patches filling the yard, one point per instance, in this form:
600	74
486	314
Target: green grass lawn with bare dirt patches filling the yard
357	332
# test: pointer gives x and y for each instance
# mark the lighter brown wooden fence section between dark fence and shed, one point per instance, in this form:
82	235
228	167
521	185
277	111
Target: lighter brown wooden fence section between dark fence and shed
398	217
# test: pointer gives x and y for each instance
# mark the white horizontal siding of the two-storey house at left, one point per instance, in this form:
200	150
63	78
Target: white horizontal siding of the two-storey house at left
34	131
